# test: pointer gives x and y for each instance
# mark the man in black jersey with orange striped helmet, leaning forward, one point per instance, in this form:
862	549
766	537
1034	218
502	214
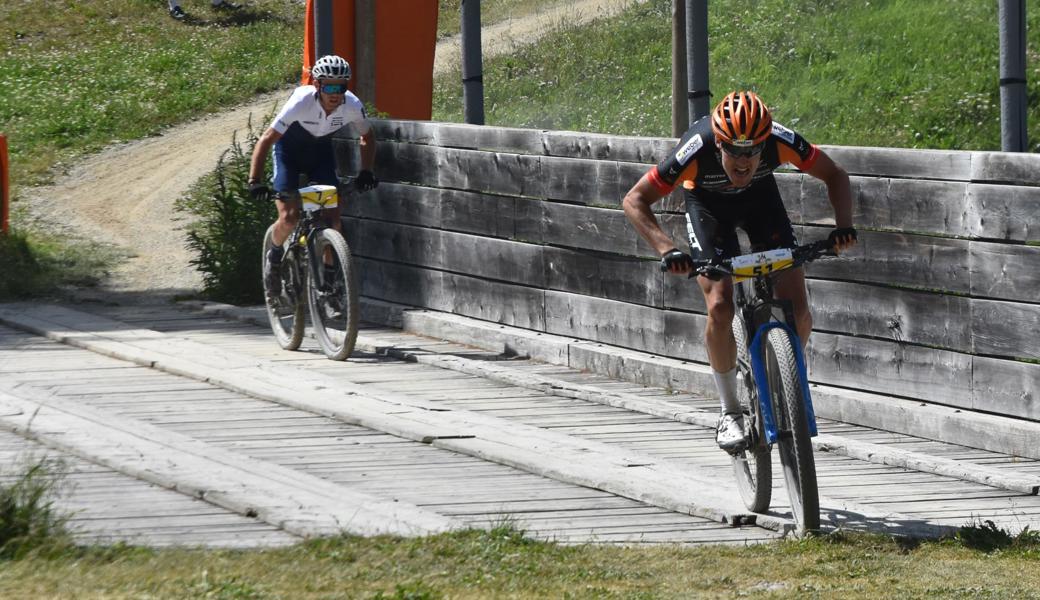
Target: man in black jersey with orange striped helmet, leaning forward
725	164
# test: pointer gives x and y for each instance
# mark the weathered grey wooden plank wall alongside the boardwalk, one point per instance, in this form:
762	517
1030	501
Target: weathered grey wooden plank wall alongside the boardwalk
941	302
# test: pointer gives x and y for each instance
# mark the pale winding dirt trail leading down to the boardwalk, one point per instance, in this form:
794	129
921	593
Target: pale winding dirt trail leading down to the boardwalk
124	196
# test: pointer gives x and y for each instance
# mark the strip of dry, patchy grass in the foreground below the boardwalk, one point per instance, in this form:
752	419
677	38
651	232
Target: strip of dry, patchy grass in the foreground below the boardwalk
503	564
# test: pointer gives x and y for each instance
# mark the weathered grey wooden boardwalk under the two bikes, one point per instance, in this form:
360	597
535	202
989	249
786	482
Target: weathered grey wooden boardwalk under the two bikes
450	476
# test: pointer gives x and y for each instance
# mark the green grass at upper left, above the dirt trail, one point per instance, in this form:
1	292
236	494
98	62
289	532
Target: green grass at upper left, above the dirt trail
81	75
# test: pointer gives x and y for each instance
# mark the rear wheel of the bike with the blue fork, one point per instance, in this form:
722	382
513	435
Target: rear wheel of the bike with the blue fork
753	467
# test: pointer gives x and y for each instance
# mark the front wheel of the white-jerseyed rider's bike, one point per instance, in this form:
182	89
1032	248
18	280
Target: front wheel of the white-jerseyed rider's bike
333	297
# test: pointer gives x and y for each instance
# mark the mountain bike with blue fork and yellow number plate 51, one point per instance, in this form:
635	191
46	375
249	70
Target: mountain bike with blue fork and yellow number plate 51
772	383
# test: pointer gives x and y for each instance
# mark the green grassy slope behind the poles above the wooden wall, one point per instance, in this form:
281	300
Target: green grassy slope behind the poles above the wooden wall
890	73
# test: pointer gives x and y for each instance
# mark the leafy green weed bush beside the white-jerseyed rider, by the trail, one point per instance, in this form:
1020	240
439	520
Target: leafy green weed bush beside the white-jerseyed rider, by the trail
228	226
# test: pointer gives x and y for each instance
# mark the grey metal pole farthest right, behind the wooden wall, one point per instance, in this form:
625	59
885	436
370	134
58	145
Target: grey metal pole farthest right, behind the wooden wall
1013	103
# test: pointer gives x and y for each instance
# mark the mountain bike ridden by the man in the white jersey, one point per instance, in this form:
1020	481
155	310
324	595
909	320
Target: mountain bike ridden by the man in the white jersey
318	265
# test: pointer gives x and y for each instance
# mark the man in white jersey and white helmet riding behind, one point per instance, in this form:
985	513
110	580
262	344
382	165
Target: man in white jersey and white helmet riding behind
301	135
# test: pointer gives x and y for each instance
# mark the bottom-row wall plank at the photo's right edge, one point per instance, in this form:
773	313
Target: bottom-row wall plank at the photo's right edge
1006	387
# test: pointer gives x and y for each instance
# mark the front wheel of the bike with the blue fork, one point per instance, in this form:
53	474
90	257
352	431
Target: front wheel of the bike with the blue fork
793	428
